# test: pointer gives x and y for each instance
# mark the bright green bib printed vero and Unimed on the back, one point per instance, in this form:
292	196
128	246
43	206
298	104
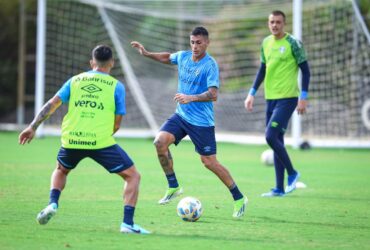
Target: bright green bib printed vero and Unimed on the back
89	121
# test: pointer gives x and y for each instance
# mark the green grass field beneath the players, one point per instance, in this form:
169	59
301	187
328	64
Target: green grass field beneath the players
333	212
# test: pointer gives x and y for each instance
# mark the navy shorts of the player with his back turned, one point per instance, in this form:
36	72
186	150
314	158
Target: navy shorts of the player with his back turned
114	159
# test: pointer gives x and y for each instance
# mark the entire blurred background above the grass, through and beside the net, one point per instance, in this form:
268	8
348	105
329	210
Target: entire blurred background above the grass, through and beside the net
333	35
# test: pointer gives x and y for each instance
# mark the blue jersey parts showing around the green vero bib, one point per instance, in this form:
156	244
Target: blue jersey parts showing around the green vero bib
119	94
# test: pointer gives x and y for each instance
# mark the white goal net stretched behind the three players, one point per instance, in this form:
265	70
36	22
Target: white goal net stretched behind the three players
336	41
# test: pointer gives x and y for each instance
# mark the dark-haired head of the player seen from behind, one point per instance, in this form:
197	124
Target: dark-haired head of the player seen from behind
102	57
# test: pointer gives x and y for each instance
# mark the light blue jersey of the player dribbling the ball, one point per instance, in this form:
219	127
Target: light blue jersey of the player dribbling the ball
195	78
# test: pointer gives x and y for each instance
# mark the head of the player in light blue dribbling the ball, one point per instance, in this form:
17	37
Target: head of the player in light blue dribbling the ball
199	42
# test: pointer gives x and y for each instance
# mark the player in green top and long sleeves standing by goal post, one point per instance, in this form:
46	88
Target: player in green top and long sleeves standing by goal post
281	56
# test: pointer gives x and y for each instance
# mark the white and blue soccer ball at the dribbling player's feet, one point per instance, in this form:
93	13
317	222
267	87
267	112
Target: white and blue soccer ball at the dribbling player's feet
189	209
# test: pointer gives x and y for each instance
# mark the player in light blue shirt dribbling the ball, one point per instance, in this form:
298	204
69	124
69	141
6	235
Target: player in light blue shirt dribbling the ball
198	83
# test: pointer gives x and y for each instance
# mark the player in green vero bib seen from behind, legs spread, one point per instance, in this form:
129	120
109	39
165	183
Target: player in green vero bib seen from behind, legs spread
96	104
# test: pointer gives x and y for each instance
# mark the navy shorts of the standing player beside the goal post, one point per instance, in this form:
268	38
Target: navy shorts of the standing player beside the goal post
278	113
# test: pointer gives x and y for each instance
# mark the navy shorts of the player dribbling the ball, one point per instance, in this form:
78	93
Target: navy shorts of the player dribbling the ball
203	138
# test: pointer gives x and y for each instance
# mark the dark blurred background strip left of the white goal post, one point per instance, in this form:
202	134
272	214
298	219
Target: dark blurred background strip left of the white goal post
18	52
